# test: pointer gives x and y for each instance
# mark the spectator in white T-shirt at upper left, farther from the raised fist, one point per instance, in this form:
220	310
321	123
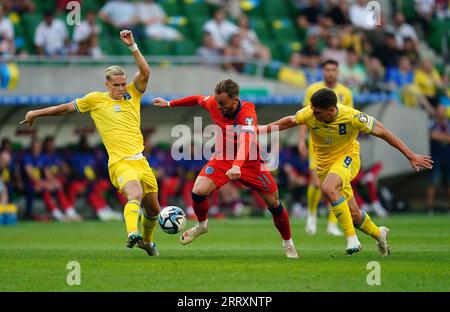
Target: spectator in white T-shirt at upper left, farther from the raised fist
51	36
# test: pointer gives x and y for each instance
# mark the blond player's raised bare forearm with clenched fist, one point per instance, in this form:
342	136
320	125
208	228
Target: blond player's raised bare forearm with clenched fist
142	76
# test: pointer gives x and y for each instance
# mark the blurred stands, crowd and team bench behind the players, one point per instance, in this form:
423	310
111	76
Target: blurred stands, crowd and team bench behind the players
395	62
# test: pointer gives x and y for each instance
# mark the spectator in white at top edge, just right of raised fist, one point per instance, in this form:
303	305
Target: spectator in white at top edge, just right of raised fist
153	17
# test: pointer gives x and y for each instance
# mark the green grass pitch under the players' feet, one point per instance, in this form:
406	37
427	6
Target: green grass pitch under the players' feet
236	255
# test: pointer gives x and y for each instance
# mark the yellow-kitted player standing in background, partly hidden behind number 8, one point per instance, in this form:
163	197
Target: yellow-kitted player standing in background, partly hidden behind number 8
330	70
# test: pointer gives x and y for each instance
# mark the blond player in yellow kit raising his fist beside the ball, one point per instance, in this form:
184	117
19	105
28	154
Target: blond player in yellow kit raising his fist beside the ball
116	114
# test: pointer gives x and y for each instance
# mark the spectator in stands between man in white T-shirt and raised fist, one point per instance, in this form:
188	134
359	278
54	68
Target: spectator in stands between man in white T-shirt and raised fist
85	36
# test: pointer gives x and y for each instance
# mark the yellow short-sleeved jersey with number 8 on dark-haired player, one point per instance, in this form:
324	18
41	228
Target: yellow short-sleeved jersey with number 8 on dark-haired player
332	140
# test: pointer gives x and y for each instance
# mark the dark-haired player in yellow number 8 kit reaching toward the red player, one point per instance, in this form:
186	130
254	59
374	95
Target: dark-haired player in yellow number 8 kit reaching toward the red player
334	129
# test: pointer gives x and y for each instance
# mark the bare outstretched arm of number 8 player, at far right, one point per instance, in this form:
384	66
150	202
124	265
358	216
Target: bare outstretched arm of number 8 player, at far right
415	160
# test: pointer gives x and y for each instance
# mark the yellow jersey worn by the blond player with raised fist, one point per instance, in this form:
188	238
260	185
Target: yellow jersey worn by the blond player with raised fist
117	121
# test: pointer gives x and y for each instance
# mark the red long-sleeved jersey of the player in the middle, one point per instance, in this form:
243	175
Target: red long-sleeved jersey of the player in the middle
244	120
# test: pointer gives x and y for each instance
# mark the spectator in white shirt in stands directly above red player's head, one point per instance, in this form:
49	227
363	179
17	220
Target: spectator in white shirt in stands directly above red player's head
220	29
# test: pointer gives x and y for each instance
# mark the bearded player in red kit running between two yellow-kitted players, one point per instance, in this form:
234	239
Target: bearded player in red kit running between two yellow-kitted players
234	159
